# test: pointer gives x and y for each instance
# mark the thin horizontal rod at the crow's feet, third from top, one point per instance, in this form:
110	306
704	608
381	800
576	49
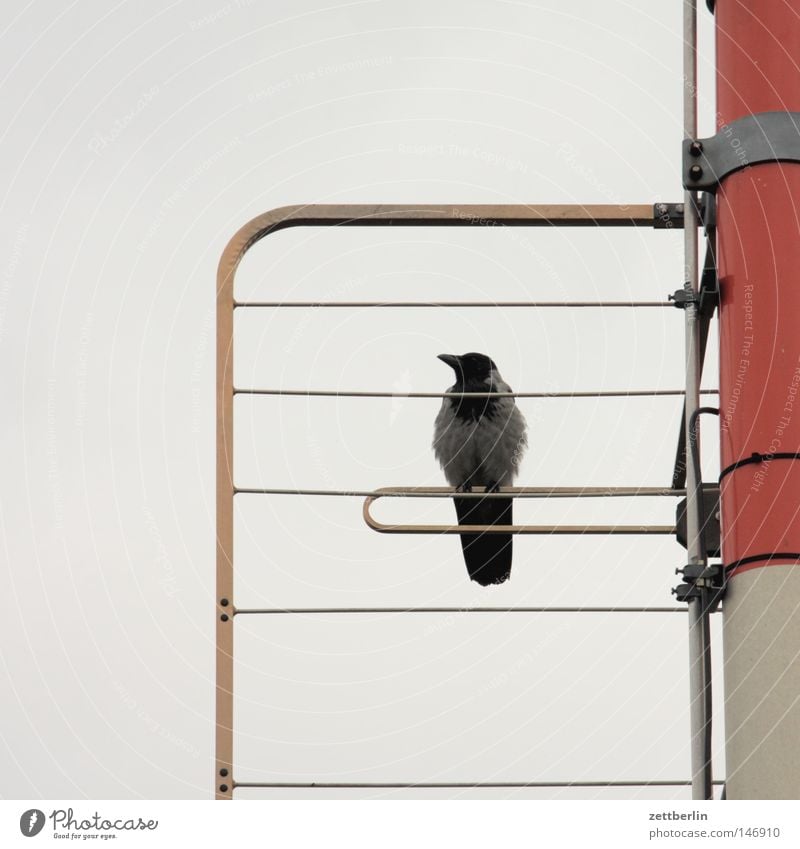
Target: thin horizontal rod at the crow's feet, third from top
448	492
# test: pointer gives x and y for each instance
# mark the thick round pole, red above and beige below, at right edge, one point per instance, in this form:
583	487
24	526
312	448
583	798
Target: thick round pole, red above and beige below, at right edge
758	227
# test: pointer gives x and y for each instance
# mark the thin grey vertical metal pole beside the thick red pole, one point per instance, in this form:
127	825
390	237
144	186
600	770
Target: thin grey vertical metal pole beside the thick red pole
699	672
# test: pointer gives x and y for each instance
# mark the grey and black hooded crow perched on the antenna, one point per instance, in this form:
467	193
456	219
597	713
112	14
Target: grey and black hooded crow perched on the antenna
480	442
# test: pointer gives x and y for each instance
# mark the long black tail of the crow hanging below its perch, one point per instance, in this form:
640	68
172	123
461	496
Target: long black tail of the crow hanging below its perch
488	556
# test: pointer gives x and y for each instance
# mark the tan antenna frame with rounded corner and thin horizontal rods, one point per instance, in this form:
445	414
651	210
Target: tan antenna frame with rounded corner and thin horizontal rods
607	215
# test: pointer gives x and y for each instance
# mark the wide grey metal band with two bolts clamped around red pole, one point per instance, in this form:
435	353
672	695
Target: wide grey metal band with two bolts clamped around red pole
754	139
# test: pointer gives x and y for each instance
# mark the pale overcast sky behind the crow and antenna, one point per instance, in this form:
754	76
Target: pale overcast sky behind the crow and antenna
136	139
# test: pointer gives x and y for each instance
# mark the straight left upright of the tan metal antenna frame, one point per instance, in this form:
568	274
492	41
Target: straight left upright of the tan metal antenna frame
223	769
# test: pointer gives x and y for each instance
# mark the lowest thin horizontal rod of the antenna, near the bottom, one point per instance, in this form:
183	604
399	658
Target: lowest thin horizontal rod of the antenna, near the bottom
451	785
